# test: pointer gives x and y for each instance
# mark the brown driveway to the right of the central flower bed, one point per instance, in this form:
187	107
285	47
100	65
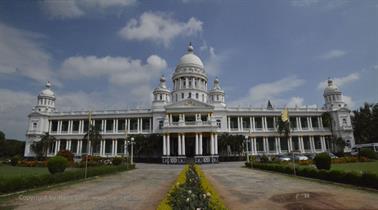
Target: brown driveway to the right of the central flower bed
243	188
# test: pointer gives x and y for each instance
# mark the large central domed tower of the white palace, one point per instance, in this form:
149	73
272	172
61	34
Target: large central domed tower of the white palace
189	78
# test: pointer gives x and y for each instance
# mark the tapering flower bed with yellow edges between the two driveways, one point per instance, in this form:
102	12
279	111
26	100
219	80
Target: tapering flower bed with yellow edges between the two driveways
191	191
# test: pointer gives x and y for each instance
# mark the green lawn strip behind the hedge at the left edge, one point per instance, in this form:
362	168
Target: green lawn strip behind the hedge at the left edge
11	171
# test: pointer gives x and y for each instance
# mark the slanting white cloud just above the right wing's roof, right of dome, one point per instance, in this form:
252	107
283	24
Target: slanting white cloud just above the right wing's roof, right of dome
259	95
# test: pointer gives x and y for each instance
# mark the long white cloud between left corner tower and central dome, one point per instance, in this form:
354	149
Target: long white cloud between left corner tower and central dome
120	71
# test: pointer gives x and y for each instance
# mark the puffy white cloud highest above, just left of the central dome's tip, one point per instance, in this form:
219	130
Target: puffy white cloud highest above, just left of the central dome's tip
159	27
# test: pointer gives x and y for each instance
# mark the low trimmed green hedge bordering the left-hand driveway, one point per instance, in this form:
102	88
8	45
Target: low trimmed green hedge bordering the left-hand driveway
17	183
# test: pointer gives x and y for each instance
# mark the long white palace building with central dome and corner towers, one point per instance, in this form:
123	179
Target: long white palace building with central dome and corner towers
190	117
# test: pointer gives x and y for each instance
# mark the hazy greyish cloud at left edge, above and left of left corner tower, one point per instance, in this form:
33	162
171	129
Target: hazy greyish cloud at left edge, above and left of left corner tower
21	54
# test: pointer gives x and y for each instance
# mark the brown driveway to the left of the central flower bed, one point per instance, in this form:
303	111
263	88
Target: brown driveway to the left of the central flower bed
142	188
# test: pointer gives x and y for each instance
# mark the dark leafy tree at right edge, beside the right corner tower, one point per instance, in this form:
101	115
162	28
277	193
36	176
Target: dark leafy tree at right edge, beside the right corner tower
365	123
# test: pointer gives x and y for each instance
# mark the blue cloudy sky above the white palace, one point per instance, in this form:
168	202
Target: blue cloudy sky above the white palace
110	54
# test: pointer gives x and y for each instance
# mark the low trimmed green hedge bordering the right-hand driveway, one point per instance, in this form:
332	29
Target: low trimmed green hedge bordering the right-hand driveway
359	179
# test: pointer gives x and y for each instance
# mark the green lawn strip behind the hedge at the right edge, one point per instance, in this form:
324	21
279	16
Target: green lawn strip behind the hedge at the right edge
358	167
